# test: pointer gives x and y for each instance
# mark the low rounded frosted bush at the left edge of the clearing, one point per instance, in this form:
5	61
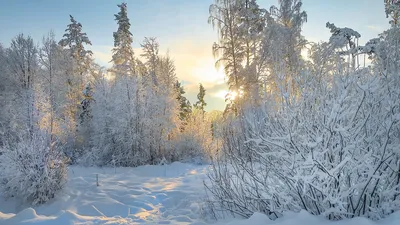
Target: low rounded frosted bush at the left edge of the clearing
32	170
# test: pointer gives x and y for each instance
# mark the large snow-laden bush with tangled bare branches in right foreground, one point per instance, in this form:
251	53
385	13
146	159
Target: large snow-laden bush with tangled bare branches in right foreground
332	152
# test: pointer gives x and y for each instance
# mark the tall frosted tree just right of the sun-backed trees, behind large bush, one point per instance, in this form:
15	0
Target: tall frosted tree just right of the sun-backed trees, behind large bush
283	55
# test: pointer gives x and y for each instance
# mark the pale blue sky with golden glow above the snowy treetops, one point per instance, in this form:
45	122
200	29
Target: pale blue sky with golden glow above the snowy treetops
180	27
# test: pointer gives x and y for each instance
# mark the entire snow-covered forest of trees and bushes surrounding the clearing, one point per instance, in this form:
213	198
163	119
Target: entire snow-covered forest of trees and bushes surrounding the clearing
307	126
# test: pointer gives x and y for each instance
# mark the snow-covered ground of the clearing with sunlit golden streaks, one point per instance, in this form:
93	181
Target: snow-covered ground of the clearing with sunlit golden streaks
169	194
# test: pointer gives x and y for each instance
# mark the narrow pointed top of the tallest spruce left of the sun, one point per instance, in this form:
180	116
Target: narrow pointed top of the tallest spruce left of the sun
123	55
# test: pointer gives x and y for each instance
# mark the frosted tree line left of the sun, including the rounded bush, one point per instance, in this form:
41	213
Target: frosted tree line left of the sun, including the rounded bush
58	107
